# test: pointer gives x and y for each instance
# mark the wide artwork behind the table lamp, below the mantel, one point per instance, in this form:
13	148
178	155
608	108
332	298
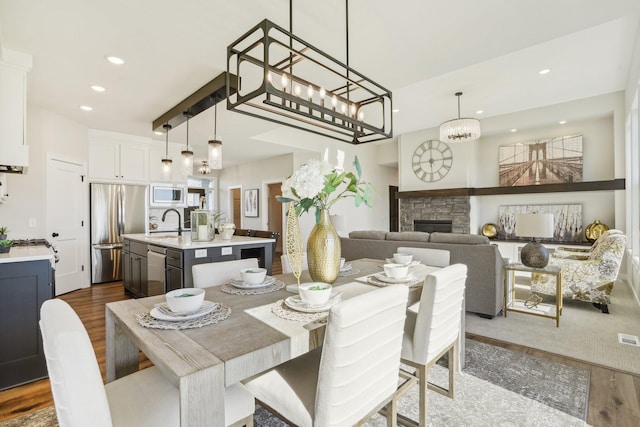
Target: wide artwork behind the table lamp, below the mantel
567	220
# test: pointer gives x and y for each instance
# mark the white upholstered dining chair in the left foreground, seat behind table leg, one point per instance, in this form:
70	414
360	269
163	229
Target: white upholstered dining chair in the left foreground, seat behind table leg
144	398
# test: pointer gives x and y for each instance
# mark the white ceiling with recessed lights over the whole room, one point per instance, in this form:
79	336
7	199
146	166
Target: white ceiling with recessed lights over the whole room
422	50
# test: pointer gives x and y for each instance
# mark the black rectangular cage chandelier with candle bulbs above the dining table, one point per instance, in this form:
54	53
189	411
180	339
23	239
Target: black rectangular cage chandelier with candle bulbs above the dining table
284	79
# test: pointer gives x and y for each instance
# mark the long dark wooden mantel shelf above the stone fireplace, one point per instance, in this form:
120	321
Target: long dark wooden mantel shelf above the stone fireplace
614	184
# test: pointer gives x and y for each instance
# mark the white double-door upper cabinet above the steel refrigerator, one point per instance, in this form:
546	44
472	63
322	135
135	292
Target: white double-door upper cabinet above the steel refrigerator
119	161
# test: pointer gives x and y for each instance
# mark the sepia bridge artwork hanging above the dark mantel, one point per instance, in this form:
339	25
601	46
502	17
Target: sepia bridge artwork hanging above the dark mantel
543	161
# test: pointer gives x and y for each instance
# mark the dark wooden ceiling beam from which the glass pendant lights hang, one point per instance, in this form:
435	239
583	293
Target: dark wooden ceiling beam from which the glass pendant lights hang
200	100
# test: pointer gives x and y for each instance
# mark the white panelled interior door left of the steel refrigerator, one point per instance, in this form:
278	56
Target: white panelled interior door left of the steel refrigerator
66	221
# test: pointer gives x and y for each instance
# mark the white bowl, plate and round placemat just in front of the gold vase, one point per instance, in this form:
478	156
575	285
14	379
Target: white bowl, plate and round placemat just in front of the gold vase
313	301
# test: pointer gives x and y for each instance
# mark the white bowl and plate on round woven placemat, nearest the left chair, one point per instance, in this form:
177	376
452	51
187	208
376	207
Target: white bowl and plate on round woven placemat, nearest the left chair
183	309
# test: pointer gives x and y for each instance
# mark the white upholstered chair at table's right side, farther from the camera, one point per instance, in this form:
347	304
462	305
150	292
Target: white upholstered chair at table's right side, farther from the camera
433	330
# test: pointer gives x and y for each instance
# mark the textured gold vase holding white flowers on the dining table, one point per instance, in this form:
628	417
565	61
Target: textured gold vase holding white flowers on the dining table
323	250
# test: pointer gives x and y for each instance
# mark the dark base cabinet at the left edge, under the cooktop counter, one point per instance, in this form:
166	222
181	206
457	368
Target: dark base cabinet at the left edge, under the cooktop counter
24	287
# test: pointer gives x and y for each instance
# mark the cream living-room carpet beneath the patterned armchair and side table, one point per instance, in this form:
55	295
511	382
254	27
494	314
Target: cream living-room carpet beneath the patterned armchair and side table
584	334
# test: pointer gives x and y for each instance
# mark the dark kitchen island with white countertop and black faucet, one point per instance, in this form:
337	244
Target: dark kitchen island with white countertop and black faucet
154	264
